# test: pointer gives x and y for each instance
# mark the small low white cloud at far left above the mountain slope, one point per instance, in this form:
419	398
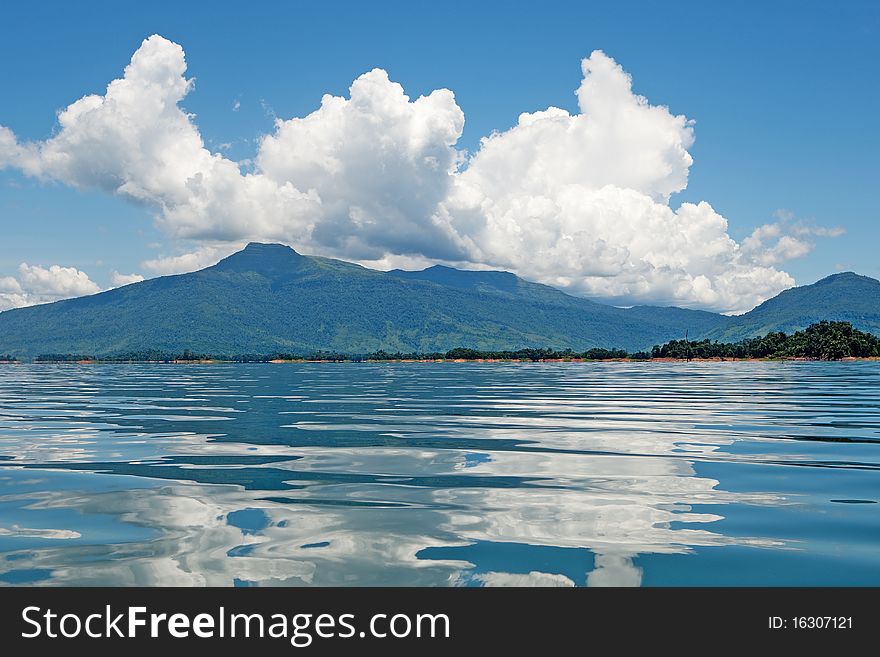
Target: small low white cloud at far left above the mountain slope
36	284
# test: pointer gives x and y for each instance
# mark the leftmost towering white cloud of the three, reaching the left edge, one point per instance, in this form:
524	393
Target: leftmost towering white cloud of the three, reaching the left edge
137	142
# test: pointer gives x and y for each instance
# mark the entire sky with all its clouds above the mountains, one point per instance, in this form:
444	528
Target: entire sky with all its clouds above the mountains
678	153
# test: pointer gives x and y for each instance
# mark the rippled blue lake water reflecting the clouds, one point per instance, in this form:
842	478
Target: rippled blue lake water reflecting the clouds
461	474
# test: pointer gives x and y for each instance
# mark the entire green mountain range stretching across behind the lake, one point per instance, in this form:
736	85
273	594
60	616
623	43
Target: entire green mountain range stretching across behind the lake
267	298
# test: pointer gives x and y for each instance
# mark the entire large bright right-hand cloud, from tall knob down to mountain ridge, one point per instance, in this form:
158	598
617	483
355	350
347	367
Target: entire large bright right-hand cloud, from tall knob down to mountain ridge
581	202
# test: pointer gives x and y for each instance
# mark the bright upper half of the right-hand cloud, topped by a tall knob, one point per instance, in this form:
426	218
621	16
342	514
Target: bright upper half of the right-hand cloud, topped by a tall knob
617	139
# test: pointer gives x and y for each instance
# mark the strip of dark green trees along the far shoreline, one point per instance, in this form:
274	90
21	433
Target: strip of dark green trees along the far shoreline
821	341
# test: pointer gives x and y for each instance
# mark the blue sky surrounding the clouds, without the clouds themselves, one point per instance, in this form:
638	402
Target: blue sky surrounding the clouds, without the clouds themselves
784	96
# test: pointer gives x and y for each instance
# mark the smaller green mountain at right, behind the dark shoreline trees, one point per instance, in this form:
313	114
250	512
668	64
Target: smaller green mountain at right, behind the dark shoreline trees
845	297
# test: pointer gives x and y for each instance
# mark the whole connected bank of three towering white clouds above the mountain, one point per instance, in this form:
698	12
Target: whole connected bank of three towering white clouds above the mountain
580	201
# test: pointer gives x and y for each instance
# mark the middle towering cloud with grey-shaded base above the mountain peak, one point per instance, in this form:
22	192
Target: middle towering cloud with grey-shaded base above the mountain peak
380	163
